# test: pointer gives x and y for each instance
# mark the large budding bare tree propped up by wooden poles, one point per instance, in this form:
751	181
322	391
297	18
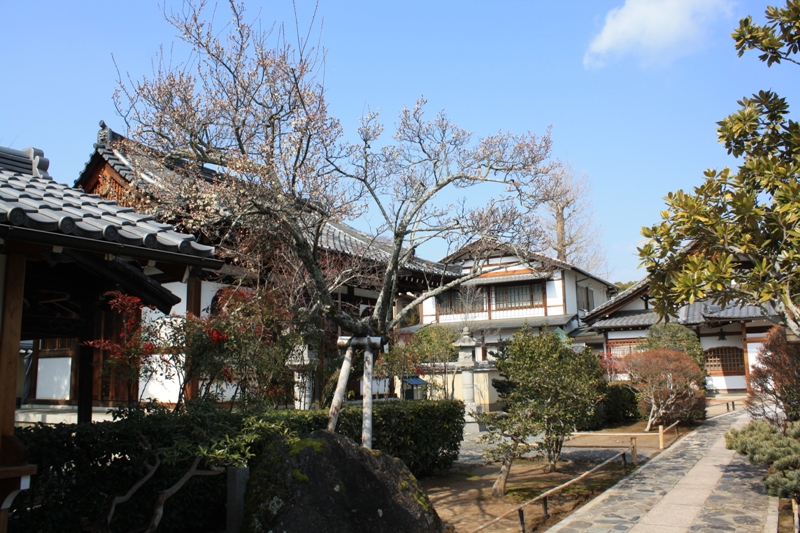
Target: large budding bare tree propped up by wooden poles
250	106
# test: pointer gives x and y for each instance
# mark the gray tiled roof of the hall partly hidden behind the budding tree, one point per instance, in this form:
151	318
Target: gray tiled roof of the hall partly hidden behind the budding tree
144	173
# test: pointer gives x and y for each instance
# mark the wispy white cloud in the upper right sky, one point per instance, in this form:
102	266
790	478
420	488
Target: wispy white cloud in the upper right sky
654	31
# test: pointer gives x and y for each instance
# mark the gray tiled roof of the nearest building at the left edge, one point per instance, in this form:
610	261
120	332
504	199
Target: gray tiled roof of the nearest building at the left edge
30	198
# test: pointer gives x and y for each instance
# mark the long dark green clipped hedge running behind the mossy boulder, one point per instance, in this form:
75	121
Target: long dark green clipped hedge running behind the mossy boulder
82	467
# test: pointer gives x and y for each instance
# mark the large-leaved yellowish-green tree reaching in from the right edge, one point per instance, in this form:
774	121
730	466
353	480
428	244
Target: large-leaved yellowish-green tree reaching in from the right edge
735	240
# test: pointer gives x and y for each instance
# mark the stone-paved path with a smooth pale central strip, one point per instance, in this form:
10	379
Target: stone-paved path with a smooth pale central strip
695	485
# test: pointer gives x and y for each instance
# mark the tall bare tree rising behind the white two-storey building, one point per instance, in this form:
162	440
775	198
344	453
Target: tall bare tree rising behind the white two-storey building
572	234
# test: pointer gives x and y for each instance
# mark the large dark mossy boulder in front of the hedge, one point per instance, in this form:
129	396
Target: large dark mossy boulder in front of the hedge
326	482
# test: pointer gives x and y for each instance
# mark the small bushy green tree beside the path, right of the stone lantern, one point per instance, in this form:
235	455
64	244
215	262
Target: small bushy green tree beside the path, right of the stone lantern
550	390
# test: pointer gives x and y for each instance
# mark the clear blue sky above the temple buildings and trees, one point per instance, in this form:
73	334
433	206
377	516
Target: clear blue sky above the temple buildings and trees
632	88
